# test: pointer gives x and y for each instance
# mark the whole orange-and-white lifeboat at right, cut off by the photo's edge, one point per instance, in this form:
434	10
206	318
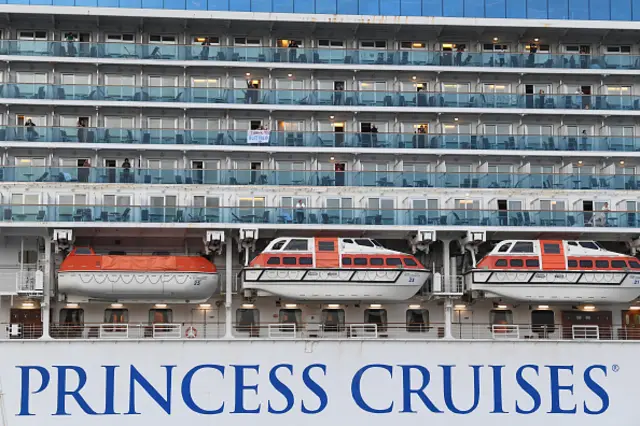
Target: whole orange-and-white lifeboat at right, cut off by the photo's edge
556	271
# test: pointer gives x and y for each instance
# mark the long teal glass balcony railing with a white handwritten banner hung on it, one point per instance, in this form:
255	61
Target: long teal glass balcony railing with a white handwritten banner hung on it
319	139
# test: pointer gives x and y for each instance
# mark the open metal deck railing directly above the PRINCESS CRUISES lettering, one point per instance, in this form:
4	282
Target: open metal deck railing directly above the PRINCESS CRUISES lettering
355	331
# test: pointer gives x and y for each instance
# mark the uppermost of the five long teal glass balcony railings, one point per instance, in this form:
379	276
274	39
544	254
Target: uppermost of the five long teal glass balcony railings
320	56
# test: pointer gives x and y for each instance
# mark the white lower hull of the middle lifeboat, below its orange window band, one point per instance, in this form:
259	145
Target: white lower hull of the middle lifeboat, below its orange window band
336	284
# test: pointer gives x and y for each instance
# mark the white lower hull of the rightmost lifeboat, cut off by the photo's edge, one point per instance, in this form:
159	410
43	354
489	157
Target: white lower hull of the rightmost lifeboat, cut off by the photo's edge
556	286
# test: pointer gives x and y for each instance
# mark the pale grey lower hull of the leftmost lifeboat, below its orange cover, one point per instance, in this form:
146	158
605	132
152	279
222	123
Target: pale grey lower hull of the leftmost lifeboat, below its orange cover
192	287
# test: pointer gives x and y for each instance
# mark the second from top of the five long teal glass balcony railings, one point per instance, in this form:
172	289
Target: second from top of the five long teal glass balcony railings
317	97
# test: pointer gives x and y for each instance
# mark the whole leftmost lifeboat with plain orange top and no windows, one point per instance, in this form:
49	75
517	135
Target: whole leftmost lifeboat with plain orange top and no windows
85	275
